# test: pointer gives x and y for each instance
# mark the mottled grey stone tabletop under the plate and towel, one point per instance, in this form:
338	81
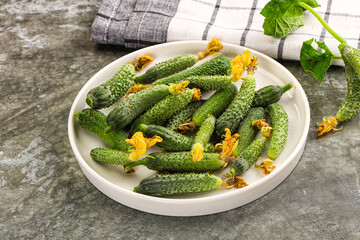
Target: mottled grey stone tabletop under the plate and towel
46	57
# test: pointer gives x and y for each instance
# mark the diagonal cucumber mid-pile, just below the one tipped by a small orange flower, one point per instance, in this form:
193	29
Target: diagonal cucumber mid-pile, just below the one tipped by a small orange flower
165	109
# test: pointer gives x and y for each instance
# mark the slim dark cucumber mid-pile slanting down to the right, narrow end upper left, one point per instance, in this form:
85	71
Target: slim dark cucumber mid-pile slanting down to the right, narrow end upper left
171	140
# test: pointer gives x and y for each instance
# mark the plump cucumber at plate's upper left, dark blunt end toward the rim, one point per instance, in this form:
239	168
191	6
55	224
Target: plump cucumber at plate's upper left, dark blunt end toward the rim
112	90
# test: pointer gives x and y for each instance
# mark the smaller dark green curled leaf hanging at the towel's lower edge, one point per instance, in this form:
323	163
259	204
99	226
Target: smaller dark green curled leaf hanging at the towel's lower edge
315	61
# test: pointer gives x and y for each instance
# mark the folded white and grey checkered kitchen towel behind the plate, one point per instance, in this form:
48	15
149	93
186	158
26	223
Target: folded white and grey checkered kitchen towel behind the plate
140	23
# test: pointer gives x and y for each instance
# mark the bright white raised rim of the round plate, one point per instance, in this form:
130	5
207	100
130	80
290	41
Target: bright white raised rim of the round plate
84	166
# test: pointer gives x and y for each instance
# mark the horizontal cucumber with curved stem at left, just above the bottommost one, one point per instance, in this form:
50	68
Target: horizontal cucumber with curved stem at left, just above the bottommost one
178	162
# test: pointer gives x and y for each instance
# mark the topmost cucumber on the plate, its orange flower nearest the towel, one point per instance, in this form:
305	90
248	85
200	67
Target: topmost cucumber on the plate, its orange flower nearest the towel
167	68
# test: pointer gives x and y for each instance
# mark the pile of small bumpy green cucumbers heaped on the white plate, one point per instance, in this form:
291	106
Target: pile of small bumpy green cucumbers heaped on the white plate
192	130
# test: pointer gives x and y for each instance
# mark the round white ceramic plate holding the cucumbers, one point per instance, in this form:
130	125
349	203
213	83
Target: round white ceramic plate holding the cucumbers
115	183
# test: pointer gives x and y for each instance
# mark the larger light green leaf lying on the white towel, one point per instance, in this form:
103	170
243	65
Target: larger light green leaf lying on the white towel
283	16
